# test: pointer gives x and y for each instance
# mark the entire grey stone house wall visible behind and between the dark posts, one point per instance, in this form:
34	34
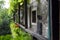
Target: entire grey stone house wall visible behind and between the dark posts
37	16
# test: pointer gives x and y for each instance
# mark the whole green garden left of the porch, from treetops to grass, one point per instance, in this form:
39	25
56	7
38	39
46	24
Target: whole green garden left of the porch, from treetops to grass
8	29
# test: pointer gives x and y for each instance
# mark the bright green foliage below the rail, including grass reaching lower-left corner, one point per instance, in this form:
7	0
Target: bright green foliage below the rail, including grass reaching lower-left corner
17	34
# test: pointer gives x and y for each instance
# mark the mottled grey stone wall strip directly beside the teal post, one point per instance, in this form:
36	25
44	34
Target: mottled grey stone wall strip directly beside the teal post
44	13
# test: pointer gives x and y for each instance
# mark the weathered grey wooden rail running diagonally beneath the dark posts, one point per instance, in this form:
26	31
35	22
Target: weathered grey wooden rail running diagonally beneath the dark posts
39	37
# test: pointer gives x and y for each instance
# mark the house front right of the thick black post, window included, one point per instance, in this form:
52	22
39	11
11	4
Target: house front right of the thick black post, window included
39	20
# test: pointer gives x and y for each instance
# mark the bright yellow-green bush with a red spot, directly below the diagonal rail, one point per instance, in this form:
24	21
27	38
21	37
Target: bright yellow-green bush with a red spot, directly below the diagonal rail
18	33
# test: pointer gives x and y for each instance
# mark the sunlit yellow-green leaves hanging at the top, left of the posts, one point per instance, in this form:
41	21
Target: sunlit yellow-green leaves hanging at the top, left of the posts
14	5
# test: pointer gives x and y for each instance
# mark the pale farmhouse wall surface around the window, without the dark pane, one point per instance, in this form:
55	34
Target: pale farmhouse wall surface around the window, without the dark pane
43	12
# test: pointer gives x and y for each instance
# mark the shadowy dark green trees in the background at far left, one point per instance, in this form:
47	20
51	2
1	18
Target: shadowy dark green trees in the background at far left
4	20
